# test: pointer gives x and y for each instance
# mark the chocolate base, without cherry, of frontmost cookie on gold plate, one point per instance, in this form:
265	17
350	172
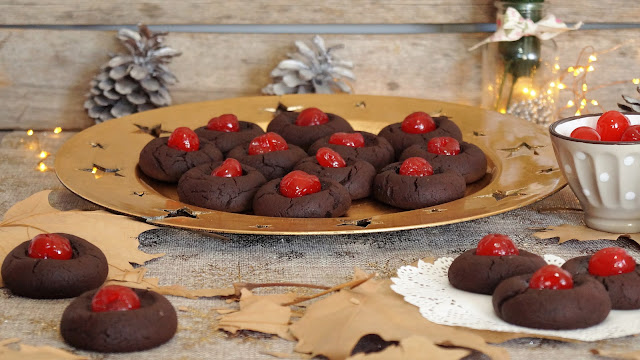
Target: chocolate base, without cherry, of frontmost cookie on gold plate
332	201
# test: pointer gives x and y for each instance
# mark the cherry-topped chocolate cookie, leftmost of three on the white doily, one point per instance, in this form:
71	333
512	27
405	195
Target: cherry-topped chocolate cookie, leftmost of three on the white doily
495	259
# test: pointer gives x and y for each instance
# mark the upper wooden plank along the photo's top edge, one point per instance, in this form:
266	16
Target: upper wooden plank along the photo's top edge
87	12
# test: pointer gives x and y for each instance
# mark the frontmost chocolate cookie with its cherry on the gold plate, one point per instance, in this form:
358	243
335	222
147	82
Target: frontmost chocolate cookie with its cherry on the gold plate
300	195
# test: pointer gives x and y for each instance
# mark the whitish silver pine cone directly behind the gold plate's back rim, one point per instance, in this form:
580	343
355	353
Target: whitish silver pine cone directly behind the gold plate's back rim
312	69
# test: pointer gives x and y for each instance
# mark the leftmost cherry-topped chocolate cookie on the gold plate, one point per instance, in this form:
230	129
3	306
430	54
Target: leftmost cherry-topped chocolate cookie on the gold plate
167	158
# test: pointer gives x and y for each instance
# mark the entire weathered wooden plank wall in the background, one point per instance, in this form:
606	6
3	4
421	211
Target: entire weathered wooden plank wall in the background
45	70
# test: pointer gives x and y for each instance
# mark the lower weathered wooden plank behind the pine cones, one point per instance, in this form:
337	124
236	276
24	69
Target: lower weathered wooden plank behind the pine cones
44	74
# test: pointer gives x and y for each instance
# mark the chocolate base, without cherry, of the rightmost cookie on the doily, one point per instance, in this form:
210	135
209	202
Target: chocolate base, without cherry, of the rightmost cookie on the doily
623	289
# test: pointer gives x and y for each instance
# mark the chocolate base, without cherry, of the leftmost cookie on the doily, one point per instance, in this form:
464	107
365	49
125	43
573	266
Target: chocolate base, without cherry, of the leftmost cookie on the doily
481	274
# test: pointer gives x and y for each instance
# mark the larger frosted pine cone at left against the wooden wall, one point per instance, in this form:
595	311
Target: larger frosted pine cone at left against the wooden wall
134	82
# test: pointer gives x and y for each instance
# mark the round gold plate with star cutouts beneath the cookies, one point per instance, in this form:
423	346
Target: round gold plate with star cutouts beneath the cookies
100	165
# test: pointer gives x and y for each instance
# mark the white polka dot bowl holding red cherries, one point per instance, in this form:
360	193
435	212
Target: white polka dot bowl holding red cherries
605	176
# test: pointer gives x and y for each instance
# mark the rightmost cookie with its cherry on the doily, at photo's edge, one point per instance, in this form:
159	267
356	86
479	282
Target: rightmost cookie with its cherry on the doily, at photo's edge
614	268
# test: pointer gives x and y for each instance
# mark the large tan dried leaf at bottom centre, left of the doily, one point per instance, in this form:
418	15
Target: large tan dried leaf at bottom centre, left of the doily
332	326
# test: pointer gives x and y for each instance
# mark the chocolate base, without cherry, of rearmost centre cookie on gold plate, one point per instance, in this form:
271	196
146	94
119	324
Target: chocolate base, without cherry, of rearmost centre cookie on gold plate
303	136
